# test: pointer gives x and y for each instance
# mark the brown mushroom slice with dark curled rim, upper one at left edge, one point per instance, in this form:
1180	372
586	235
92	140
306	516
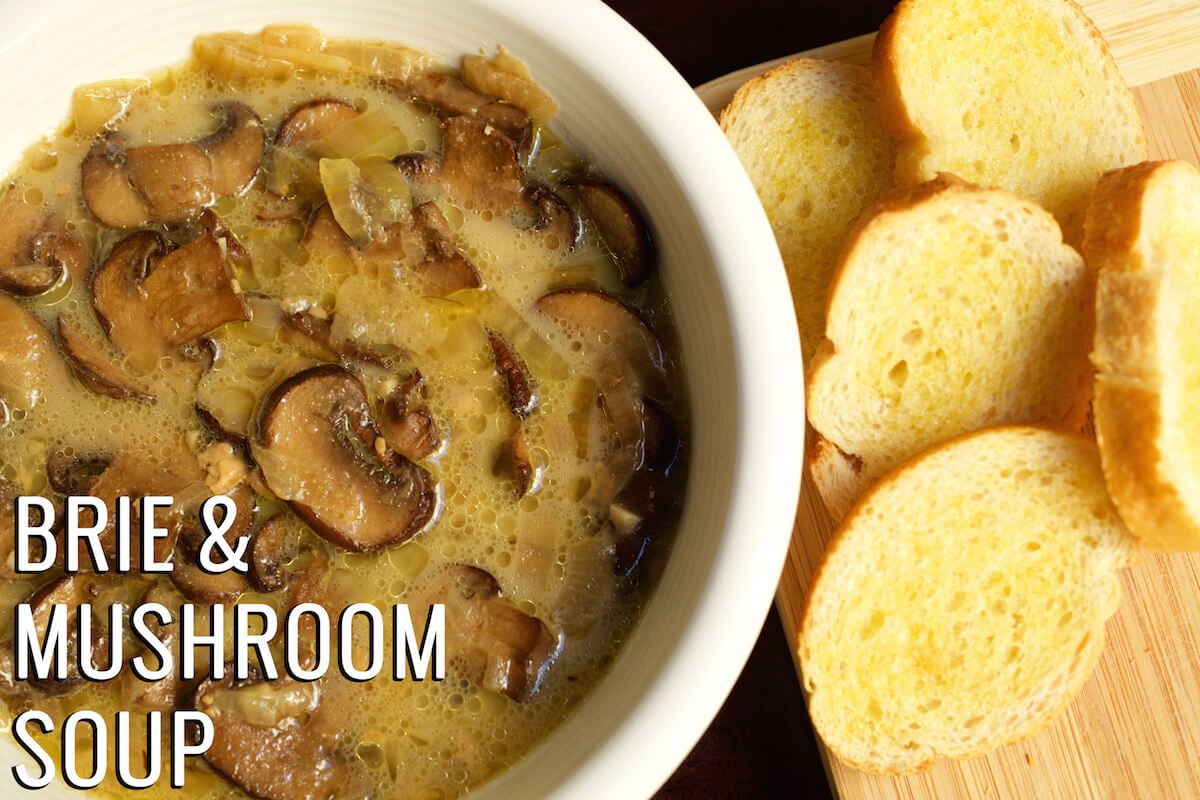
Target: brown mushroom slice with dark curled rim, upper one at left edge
37	250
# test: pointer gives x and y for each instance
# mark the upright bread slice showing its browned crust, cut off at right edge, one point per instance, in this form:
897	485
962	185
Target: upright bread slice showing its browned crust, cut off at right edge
1144	239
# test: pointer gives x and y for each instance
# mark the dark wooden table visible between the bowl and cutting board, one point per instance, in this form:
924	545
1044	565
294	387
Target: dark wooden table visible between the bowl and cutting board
761	744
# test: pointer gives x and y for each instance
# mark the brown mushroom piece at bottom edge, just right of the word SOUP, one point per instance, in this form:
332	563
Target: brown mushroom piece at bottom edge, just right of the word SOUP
273	739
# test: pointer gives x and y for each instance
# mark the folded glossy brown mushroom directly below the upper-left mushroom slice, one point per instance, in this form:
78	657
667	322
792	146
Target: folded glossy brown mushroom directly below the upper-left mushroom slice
152	298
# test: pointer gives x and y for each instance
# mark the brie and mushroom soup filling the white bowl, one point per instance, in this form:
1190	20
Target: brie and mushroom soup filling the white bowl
421	347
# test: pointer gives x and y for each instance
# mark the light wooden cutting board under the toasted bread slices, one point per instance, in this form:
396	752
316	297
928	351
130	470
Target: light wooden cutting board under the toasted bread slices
1135	731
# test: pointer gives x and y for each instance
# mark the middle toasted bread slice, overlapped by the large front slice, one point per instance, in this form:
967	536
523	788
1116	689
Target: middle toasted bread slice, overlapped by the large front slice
955	308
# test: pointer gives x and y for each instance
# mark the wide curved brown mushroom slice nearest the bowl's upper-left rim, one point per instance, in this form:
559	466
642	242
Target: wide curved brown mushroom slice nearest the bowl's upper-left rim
128	188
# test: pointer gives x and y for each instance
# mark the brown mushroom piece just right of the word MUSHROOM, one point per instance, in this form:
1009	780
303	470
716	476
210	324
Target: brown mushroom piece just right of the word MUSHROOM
491	641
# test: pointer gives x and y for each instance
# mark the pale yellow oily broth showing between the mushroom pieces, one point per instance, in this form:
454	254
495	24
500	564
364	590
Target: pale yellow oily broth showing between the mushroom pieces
547	550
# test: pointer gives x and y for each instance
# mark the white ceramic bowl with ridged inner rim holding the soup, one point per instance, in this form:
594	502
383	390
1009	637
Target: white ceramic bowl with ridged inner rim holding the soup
629	111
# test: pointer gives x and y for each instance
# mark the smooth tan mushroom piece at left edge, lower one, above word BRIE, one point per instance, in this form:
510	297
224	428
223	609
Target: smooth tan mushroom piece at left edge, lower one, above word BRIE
31	365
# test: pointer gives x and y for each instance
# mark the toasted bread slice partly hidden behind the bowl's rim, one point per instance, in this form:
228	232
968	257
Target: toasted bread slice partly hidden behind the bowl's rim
811	137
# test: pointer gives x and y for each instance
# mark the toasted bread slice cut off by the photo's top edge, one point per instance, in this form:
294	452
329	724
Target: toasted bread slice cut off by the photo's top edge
1021	94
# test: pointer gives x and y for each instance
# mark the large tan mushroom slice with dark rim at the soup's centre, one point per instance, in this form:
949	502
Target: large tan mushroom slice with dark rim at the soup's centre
316	444
